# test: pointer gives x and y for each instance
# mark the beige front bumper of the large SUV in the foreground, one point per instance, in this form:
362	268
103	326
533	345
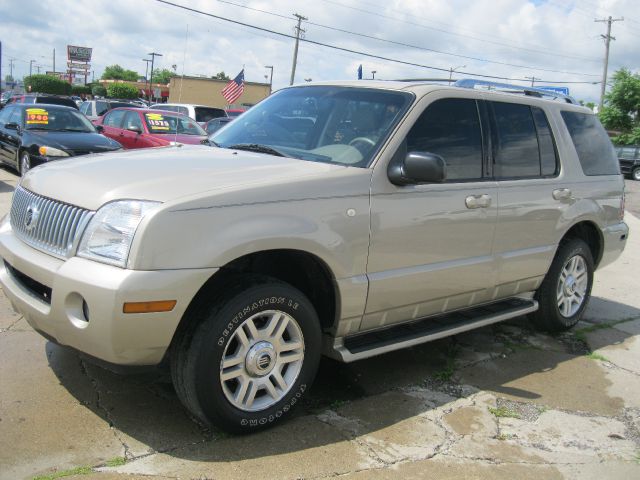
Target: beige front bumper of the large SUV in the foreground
79	286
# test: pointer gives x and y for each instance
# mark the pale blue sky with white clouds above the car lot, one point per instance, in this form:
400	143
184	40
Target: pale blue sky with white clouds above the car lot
552	41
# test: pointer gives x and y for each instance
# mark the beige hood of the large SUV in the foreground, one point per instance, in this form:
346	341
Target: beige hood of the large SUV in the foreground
167	174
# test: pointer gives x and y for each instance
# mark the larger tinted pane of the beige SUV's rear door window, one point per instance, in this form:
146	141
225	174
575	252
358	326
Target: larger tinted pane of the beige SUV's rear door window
516	152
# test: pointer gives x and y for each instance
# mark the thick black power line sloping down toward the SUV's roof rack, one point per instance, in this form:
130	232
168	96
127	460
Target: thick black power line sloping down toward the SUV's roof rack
357	52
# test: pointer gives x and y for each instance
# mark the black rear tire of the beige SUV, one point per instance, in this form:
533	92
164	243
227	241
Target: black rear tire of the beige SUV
549	316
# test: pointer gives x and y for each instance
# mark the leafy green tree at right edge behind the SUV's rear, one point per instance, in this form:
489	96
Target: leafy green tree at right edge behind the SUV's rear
621	111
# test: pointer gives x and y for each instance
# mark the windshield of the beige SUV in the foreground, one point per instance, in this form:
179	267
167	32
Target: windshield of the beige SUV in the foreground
339	125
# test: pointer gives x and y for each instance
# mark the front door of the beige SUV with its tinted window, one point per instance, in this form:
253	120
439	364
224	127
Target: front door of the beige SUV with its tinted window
431	245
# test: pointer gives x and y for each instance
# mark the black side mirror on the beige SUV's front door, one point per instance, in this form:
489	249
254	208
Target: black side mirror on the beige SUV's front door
416	168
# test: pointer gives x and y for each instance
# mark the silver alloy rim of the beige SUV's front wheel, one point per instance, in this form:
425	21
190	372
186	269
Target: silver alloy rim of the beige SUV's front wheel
262	360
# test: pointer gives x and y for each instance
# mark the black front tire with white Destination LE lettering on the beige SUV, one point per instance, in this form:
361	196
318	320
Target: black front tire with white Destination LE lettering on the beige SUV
196	357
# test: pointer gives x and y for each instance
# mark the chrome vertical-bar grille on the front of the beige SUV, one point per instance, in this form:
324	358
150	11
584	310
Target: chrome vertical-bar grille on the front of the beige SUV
46	224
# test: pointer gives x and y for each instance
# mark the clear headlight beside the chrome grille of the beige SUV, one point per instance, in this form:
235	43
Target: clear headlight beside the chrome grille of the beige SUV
110	232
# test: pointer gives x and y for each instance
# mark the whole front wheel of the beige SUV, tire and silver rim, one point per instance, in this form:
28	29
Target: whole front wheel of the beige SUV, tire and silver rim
251	356
